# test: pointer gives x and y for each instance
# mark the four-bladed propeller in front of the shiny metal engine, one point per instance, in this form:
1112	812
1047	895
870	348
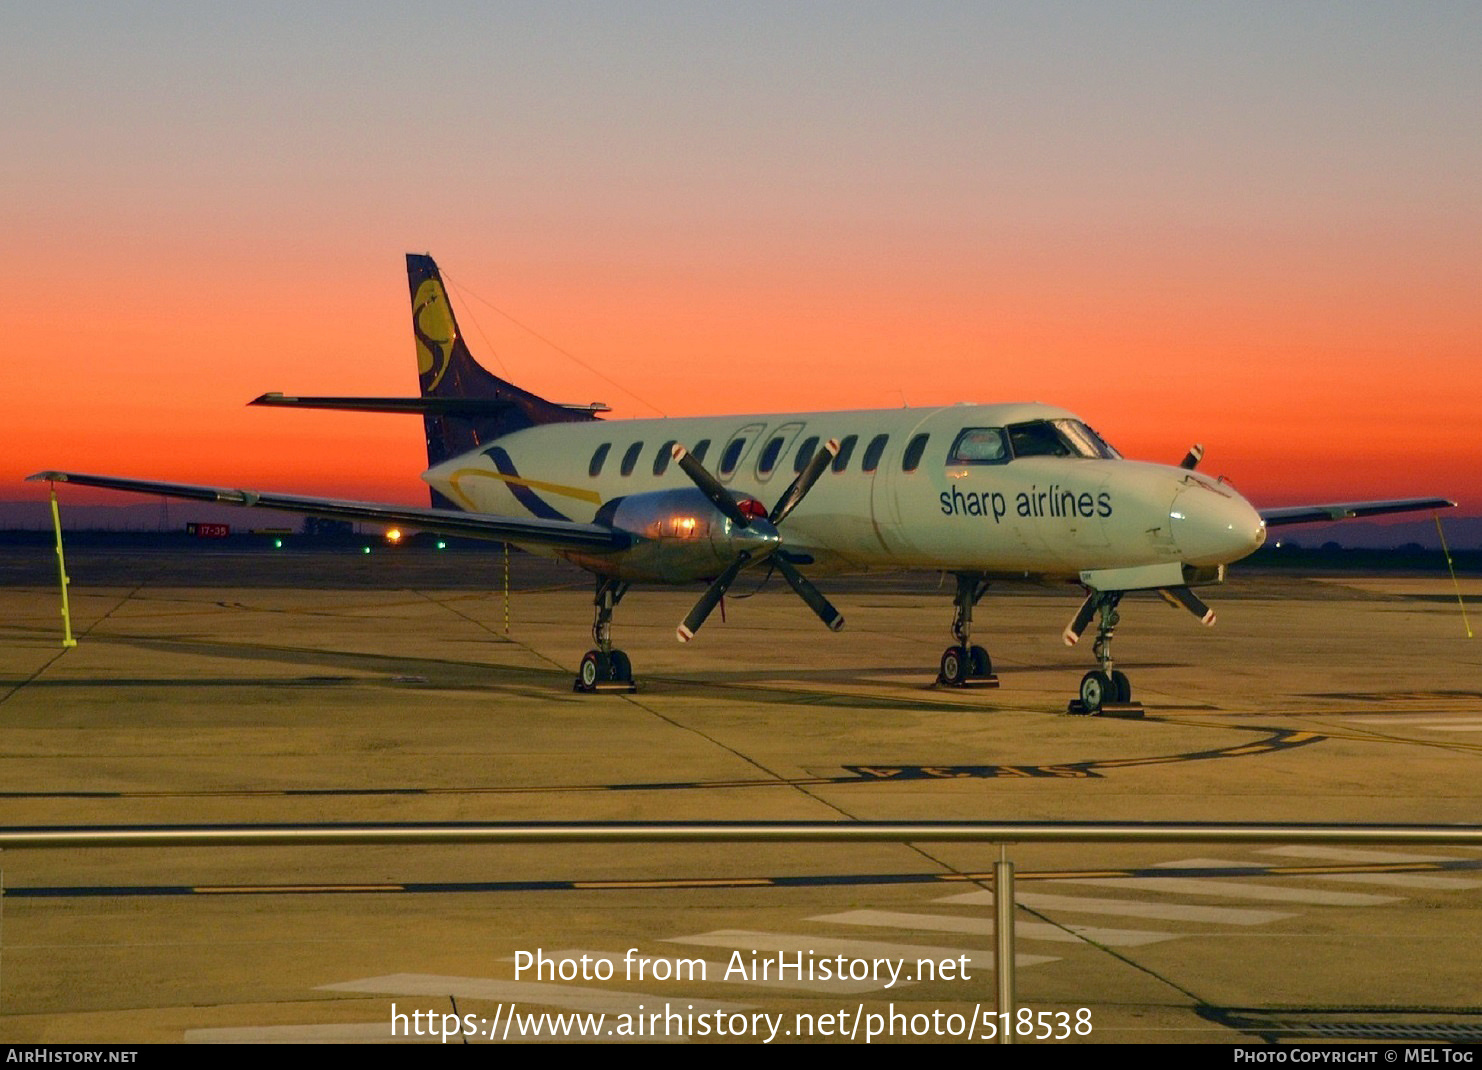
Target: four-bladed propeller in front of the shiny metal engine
733	511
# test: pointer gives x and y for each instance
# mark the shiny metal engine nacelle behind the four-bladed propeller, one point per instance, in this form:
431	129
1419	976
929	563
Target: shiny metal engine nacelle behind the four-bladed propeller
681	537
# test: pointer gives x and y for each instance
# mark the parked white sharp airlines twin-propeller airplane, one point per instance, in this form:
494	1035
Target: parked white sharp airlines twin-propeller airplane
986	493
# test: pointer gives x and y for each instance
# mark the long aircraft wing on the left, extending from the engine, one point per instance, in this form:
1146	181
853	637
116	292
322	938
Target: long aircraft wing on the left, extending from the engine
448	522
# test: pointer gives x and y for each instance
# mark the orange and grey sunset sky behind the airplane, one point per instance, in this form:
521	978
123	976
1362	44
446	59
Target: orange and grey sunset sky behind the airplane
1256	226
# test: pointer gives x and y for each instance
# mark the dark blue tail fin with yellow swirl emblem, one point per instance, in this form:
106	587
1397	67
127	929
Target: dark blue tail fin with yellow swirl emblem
450	374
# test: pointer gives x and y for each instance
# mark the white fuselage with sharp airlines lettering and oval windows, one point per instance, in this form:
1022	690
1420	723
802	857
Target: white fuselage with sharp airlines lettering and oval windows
1037	515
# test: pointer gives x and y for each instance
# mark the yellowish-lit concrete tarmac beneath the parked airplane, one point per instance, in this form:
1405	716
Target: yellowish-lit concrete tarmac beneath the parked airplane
405	687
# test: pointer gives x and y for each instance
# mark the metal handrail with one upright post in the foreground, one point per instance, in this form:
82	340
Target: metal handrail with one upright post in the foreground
1001	835
